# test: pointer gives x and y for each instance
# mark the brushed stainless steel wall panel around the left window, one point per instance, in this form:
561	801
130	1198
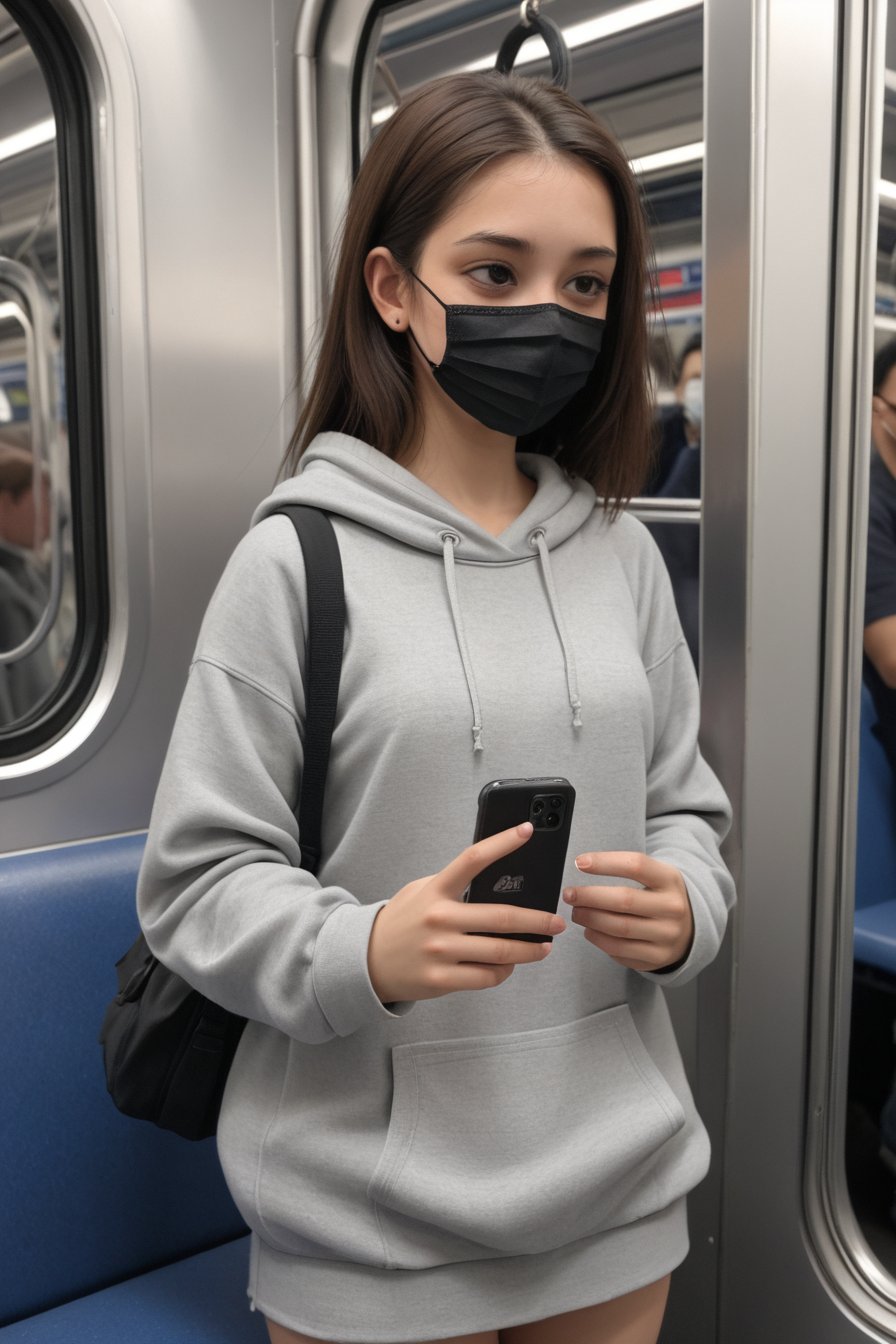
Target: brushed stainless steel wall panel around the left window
195	140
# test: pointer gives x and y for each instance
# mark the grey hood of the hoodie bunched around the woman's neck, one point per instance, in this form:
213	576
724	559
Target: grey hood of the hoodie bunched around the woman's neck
347	478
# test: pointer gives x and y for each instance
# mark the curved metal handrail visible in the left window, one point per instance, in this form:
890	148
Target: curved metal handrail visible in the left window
45	446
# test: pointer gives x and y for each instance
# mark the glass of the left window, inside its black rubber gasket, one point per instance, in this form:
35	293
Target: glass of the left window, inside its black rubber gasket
37	583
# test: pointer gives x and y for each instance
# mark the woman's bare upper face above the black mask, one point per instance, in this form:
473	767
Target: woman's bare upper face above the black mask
527	230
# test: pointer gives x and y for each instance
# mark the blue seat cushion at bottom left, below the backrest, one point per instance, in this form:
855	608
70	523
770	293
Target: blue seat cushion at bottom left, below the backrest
201	1300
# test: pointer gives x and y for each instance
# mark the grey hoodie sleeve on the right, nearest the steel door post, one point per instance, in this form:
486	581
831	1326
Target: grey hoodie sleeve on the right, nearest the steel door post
688	812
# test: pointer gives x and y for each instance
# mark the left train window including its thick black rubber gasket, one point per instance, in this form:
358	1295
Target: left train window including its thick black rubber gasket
52	584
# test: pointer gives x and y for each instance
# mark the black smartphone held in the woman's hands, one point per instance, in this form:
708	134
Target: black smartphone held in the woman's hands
534	874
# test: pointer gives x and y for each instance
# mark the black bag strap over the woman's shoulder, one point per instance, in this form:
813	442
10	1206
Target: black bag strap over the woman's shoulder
323	666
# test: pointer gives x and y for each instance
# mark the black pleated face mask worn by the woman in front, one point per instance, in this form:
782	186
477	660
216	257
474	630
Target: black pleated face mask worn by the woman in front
514	369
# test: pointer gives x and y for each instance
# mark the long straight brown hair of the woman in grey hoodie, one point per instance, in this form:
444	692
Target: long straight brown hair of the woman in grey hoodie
413	173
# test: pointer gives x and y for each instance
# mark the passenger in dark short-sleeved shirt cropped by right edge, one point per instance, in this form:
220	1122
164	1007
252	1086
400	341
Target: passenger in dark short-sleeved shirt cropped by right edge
881	580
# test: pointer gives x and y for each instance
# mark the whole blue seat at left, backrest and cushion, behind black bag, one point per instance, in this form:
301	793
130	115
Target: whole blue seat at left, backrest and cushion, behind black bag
91	1198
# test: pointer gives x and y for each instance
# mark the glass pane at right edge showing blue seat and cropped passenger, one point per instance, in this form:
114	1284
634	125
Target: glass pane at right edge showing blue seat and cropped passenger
871	1134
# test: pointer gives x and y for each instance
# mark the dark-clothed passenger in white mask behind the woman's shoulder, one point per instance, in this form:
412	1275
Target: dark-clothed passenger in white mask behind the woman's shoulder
680	542
